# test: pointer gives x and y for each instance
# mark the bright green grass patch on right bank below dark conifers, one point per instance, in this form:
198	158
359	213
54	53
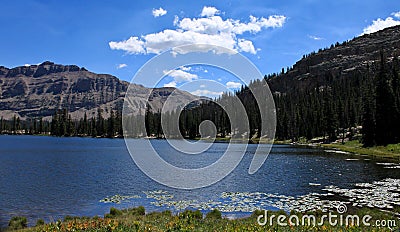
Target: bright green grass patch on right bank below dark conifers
391	151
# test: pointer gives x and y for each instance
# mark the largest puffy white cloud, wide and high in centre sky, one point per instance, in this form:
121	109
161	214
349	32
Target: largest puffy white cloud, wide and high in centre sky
212	30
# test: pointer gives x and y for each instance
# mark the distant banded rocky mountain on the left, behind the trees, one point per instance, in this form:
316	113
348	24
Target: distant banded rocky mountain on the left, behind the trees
37	90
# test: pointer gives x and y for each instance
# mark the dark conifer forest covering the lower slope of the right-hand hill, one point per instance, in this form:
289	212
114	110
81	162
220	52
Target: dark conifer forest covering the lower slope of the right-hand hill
335	109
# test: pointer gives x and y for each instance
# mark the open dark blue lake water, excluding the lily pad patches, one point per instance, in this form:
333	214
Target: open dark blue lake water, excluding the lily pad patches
48	177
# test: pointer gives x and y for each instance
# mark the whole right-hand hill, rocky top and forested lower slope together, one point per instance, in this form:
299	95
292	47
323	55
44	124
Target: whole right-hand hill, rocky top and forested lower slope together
338	92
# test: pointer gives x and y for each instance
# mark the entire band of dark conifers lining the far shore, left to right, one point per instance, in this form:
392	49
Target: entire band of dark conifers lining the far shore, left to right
332	110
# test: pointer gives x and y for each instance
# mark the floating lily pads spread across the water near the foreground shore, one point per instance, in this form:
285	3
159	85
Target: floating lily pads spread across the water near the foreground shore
384	194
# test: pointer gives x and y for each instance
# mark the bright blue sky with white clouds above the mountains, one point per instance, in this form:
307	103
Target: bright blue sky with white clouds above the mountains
272	34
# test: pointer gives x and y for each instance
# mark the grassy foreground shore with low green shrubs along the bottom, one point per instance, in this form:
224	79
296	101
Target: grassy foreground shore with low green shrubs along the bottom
135	219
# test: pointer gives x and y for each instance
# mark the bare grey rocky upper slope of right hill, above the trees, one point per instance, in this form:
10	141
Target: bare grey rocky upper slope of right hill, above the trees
344	60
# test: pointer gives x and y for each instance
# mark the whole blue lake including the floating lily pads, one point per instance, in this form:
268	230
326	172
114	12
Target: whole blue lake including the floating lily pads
50	177
